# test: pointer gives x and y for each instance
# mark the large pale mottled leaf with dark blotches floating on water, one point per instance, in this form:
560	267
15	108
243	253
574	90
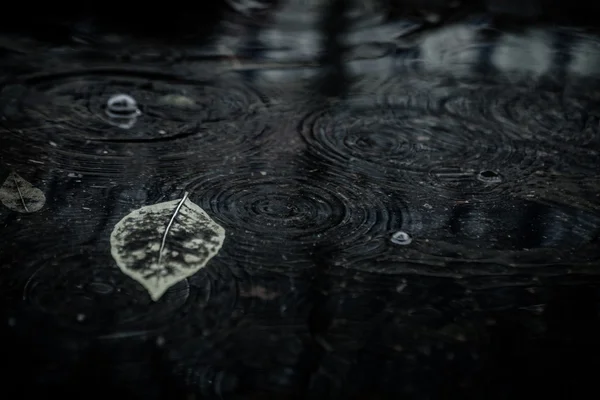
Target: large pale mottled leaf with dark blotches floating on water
162	244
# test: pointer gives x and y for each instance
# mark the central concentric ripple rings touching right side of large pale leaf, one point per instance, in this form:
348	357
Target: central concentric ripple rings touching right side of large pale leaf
284	215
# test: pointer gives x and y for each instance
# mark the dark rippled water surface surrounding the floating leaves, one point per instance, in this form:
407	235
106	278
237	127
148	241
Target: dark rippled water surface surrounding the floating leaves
408	214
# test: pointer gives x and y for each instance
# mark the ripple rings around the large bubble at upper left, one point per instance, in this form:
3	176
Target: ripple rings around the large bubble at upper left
64	115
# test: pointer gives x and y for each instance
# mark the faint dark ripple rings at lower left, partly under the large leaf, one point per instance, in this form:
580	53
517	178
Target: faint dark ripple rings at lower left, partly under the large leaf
101	299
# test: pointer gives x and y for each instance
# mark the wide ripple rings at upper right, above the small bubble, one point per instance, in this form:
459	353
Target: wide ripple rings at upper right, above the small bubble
416	142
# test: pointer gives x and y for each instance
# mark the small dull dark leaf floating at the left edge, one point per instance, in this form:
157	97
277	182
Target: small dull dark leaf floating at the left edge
21	196
